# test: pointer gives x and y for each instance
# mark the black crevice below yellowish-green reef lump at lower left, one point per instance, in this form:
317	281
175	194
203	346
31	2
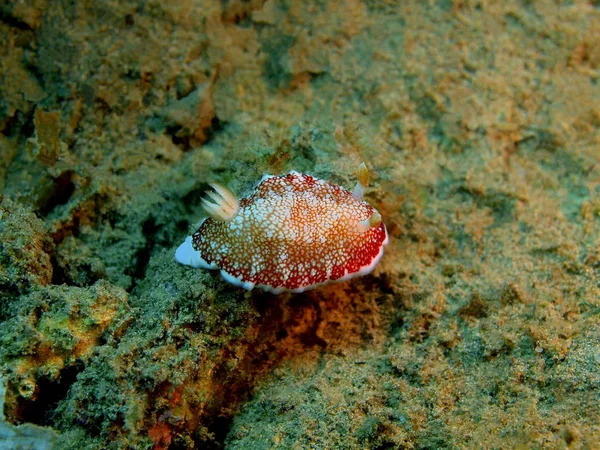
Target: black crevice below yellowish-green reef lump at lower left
41	410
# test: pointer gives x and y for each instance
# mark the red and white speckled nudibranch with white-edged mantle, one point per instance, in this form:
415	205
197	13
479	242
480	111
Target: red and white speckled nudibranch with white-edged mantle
293	233
